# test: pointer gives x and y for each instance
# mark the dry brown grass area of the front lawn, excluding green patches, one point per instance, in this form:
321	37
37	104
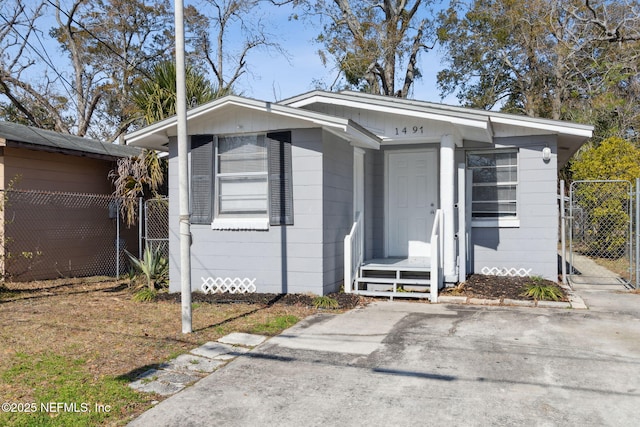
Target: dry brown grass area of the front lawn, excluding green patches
96	324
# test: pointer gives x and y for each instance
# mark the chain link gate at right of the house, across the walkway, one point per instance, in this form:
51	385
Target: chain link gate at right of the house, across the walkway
600	230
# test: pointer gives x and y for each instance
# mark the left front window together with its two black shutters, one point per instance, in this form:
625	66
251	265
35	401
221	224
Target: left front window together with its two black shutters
236	178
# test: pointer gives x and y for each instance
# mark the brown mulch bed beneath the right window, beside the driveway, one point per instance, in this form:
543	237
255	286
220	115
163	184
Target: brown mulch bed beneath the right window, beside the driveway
496	287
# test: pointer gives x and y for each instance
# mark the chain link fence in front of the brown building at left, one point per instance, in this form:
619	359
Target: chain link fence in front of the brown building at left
47	235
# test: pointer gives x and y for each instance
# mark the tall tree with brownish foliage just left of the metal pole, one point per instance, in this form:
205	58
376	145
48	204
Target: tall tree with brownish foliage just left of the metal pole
110	43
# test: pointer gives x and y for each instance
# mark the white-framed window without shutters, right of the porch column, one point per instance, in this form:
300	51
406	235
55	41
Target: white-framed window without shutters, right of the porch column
497	220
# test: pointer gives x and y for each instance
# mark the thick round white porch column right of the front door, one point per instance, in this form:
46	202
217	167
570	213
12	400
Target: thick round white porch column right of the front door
447	204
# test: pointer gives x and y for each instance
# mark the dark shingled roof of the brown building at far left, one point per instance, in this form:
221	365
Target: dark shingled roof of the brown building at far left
21	136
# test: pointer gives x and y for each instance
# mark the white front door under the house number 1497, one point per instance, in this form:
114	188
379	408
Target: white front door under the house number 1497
412	196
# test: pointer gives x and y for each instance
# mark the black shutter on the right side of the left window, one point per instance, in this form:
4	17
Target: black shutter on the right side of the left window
280	185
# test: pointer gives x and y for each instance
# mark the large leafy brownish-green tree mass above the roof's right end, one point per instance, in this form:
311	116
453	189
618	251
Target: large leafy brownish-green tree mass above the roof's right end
562	59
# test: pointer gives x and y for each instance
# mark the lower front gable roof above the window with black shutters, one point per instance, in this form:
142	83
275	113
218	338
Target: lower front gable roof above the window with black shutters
156	136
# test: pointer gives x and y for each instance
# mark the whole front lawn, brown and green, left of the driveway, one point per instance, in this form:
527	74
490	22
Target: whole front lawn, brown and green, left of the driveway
81	342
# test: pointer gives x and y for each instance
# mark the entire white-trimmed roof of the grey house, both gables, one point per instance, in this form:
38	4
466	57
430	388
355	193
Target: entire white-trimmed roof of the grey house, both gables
318	108
